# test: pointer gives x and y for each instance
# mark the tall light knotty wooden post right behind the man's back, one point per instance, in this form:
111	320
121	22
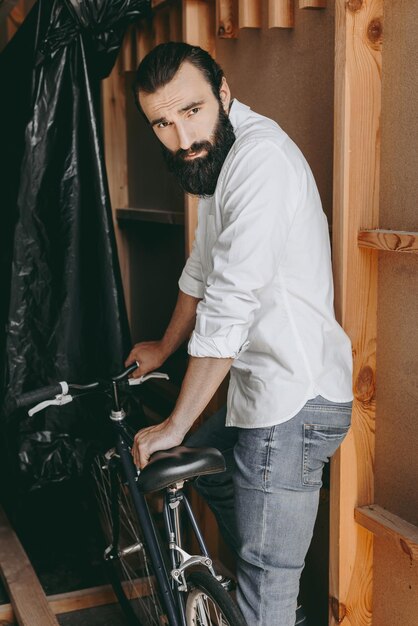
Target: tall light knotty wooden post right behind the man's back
358	65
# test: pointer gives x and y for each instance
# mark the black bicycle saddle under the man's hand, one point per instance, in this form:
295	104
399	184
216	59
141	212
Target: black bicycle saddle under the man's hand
180	463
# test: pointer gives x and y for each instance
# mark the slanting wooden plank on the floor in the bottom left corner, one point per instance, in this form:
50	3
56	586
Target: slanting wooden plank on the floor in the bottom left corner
27	597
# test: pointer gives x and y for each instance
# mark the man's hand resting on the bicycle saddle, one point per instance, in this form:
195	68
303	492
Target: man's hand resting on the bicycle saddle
154	438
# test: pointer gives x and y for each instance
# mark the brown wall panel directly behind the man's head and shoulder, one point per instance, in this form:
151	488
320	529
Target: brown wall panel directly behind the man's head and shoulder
288	75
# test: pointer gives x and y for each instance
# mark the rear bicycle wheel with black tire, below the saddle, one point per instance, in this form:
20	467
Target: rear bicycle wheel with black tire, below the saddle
208	603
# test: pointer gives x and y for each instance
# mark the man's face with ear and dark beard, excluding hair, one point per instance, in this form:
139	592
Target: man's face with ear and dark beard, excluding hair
193	127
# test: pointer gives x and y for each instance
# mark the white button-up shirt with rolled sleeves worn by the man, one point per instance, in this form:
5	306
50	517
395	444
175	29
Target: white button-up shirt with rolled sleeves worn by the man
261	265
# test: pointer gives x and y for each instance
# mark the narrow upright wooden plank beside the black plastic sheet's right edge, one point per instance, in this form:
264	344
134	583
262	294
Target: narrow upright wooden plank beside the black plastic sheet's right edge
115	143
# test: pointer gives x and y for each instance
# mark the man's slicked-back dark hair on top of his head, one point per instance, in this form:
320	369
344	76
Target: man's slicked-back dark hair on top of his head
163	62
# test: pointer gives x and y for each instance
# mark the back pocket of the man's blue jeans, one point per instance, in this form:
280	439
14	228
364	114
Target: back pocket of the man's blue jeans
320	441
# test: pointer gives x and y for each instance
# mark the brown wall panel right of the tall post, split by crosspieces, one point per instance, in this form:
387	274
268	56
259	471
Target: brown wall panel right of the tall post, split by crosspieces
396	469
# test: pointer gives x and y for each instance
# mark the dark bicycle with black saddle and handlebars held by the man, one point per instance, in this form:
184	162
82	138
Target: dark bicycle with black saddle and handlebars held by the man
156	582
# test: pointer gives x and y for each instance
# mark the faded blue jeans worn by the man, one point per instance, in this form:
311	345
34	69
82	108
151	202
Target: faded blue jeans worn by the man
267	500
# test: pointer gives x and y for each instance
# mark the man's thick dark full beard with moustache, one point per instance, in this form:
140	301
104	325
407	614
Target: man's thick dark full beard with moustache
199	176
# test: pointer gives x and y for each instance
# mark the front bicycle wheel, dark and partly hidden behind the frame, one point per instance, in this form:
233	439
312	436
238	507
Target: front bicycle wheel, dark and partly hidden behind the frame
130	575
